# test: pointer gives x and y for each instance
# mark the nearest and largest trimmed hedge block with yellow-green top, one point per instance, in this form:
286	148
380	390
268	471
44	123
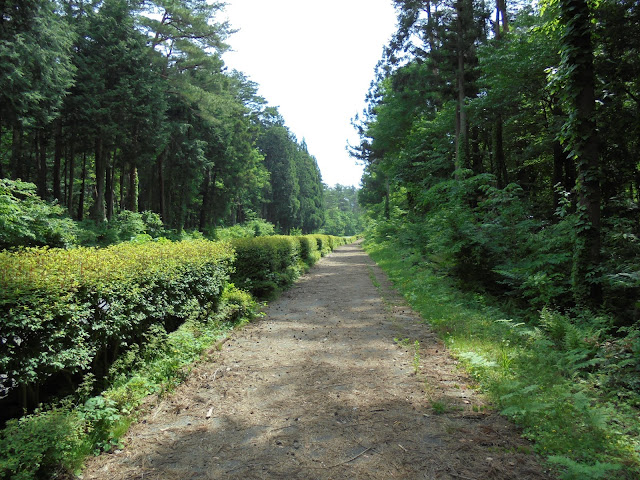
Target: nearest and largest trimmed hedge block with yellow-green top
71	311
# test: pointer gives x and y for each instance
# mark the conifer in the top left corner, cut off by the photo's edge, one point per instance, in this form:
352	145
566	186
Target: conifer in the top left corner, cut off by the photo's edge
35	51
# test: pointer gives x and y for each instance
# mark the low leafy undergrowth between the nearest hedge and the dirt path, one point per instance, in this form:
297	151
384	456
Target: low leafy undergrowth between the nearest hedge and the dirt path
54	441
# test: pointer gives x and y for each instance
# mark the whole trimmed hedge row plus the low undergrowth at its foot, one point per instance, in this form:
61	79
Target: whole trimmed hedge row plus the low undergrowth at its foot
88	311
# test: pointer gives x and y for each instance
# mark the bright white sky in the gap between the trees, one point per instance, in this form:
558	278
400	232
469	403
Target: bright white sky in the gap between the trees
314	60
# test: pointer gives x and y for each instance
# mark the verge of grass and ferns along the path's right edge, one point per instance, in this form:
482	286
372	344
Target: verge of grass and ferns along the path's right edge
562	378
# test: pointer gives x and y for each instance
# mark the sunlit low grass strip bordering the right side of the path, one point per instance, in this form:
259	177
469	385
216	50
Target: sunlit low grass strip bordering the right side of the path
582	430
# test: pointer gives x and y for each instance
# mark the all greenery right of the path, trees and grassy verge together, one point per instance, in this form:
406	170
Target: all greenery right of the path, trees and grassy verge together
501	143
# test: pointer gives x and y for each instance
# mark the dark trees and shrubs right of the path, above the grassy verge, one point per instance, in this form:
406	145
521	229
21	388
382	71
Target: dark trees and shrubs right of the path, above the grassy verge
505	141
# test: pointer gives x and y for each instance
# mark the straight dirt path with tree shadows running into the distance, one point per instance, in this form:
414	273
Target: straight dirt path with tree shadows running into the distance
325	387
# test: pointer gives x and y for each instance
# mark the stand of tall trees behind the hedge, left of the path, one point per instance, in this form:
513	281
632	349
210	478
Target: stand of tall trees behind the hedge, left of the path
112	105
